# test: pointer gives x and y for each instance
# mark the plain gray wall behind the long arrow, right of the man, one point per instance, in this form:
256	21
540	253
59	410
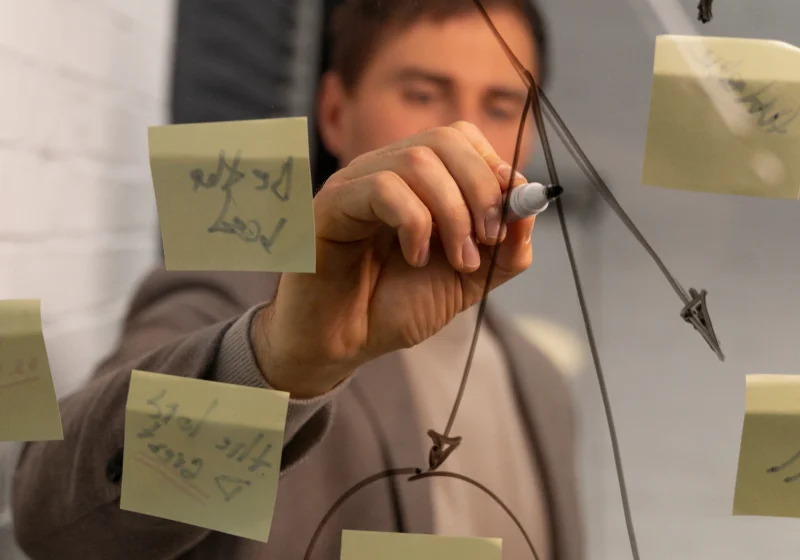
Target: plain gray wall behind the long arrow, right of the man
678	410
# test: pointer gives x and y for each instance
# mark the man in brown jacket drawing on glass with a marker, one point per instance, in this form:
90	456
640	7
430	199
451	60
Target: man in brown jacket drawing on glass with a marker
371	347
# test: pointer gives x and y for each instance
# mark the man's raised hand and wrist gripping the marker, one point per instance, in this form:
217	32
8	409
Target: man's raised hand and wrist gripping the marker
403	245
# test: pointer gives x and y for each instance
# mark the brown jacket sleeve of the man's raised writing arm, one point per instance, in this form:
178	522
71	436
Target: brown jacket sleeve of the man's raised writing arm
66	493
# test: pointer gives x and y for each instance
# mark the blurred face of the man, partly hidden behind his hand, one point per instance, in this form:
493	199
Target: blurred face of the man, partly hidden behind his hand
433	74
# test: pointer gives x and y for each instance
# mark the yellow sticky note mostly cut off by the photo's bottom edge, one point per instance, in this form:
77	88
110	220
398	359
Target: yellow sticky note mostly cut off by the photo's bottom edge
373	545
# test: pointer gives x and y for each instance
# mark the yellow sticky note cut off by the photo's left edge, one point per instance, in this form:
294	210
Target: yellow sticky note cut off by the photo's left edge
28	405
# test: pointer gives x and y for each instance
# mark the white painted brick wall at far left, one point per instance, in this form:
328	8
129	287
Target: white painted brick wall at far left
80	81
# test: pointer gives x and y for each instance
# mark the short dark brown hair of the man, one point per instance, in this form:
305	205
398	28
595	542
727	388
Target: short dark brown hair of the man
357	25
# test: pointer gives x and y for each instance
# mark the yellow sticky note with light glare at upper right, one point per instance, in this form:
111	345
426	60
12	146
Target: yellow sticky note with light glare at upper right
724	117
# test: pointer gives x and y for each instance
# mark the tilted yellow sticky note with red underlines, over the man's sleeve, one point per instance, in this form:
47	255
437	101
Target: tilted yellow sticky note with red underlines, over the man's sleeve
203	453
